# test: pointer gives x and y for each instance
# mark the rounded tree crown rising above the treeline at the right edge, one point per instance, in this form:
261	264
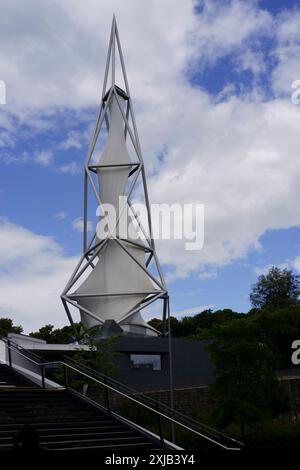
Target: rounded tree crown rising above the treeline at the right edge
280	288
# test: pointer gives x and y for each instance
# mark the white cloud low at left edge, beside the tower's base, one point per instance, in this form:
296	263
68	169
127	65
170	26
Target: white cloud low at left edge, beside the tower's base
33	273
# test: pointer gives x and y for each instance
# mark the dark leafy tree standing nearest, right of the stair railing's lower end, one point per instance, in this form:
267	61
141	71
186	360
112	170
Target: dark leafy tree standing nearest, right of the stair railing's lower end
246	388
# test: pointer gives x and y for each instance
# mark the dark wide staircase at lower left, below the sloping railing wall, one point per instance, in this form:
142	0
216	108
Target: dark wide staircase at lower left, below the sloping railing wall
62	421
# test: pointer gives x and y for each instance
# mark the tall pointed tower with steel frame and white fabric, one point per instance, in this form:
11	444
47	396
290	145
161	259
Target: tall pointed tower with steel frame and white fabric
117	276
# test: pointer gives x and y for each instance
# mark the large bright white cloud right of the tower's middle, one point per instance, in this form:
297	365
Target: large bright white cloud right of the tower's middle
240	160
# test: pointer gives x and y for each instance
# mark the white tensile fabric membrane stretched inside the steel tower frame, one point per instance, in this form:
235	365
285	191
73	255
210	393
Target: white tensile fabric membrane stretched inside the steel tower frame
115	272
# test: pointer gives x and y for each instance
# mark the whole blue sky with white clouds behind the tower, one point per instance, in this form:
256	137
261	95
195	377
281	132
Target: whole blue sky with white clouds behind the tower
220	76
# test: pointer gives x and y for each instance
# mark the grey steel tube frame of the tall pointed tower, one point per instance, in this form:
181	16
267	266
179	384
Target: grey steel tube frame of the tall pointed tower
92	248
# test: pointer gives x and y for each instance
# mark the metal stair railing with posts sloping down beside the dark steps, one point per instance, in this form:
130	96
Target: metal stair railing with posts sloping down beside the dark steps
112	389
